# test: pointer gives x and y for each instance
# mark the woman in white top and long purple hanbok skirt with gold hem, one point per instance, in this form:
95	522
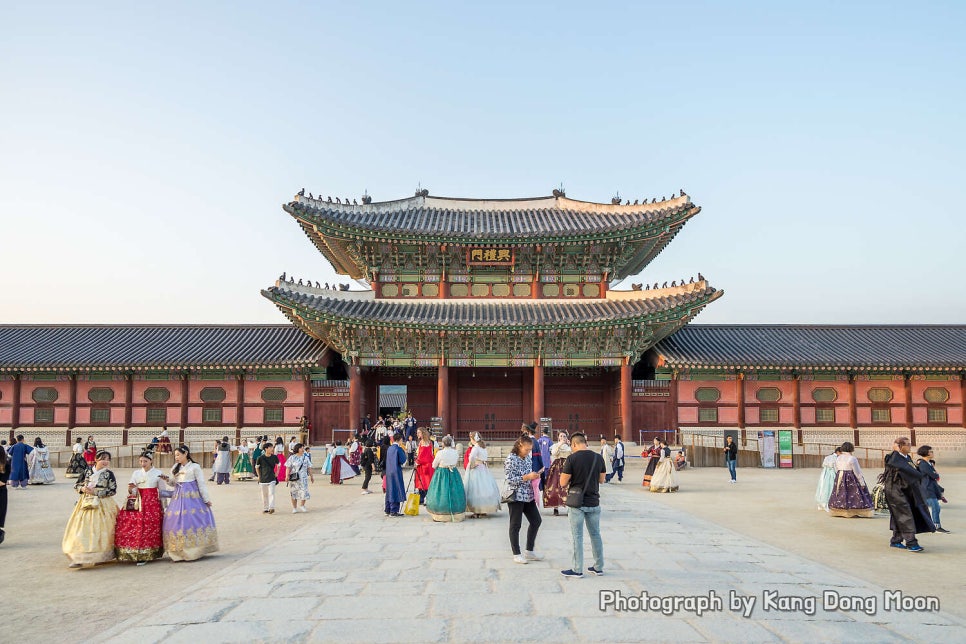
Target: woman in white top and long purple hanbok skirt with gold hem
189	526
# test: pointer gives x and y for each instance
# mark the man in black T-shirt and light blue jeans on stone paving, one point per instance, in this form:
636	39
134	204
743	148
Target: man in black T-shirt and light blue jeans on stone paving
584	469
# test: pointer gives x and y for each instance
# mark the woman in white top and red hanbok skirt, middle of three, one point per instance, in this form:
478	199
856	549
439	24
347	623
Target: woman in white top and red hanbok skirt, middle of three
138	533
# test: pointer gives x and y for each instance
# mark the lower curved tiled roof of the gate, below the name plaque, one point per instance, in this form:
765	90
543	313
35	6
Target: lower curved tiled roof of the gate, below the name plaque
364	309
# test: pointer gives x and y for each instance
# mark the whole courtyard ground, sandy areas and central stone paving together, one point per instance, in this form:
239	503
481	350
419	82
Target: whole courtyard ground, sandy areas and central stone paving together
344	571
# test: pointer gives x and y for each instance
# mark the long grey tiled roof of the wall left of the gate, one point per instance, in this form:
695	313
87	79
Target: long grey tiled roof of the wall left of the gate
138	347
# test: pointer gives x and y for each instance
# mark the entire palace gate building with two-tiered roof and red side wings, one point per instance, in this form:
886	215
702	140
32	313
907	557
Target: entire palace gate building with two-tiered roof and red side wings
487	314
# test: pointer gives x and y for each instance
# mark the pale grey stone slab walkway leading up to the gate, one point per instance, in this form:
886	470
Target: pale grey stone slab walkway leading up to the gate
355	575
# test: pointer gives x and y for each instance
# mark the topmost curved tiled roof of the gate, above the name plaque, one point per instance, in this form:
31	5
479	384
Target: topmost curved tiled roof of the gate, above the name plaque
499	219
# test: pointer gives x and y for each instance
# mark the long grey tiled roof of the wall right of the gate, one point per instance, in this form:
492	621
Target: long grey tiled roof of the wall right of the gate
817	347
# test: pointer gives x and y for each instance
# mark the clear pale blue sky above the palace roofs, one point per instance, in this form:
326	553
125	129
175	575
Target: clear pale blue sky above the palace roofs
146	148
